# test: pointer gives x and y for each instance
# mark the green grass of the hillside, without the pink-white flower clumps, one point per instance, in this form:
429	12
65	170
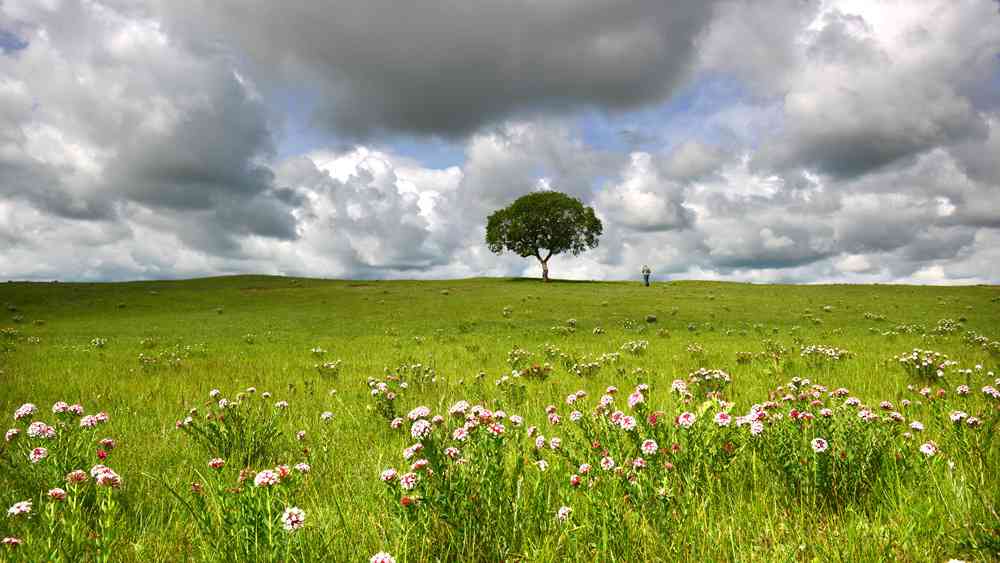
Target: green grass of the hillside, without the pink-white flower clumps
147	352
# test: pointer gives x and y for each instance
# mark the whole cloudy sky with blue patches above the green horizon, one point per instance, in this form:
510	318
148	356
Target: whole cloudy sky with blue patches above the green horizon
753	140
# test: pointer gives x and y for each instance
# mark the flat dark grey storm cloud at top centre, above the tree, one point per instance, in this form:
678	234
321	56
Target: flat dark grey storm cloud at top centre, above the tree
446	67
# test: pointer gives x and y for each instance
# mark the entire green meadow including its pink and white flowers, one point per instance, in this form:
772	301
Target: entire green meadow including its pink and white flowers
279	419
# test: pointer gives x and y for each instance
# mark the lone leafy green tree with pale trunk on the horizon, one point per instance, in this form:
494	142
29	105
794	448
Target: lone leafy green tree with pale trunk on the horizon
543	224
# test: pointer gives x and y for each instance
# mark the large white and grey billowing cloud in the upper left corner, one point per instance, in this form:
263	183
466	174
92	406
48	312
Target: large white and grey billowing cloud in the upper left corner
102	111
